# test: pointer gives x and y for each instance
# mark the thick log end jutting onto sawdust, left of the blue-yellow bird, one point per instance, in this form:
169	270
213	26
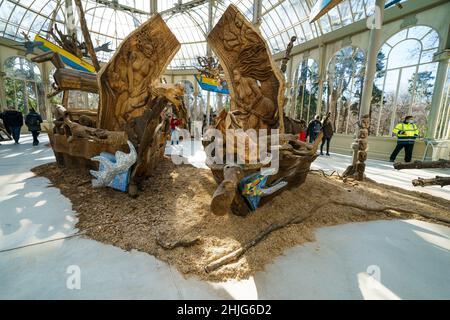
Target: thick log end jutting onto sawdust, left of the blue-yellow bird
227	190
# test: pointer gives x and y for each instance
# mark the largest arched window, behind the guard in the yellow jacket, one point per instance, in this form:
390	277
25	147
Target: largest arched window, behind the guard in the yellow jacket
406	80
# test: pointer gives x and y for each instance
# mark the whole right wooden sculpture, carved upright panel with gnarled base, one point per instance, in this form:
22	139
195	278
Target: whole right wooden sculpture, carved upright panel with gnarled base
257	97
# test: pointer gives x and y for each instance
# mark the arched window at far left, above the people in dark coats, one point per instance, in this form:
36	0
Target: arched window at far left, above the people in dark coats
23	85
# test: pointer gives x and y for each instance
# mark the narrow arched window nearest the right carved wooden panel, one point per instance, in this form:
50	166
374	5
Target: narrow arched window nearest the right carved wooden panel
306	90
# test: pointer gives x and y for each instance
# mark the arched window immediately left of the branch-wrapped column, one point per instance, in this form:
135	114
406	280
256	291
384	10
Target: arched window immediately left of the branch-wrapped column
345	79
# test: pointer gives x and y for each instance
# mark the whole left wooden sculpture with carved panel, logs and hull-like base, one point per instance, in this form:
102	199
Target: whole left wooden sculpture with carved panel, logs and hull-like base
131	105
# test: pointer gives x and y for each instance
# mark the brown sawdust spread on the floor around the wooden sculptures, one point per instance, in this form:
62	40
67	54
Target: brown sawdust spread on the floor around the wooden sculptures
174	206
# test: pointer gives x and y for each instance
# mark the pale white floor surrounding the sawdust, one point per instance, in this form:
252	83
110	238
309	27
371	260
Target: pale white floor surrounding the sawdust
374	260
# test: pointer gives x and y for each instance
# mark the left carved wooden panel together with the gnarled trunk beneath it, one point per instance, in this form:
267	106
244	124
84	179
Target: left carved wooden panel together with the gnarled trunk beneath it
131	97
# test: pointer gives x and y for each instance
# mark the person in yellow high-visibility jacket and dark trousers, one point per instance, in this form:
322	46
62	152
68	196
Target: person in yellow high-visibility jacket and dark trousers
406	133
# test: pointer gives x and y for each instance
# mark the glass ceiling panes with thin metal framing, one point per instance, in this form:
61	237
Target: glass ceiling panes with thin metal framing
112	20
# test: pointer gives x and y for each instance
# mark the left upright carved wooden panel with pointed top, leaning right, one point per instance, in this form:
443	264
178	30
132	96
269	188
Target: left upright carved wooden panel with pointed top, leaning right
126	81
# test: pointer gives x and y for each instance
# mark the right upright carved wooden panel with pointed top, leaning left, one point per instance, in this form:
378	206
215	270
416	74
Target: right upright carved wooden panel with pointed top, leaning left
256	85
